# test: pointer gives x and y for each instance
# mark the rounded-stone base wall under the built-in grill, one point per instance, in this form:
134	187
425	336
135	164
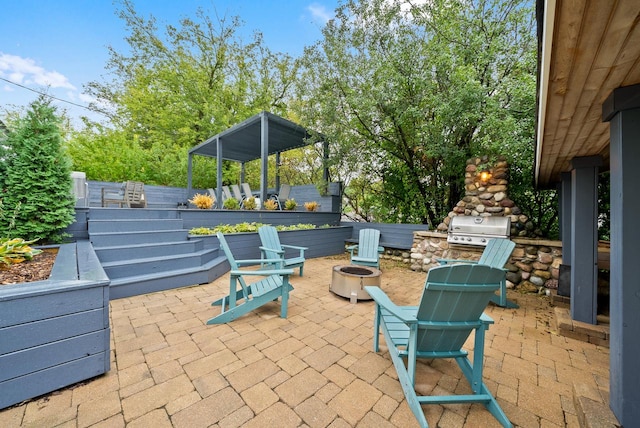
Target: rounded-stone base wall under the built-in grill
534	263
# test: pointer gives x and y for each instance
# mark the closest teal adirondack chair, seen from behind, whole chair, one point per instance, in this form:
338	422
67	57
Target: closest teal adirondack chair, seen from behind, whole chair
452	305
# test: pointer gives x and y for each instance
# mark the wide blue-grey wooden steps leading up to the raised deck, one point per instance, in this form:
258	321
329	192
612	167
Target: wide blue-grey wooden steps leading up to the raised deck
147	254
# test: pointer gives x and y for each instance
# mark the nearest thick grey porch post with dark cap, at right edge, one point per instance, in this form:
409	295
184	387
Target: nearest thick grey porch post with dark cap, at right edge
622	110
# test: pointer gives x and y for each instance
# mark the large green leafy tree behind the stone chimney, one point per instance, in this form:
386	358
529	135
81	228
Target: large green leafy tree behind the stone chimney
408	94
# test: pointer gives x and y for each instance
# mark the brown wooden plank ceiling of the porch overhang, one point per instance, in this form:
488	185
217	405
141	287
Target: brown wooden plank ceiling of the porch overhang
588	50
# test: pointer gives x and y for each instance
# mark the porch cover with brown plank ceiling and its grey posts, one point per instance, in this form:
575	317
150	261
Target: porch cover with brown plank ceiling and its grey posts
588	121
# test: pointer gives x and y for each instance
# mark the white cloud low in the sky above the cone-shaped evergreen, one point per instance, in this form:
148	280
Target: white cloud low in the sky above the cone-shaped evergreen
25	71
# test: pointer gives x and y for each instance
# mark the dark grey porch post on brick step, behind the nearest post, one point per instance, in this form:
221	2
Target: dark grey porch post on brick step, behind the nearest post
584	238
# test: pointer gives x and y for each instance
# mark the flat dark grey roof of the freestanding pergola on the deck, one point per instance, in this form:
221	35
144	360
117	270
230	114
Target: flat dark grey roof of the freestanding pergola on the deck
241	142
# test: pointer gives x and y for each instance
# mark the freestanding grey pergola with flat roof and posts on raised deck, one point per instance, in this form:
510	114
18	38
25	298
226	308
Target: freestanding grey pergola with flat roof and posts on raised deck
255	138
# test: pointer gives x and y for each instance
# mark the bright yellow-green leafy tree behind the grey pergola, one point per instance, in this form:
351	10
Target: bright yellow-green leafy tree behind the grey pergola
175	88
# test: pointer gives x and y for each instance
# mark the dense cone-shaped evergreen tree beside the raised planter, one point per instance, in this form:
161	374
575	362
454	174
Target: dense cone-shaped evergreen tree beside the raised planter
36	186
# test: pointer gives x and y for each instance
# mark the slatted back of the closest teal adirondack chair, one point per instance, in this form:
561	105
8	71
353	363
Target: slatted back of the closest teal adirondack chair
454	294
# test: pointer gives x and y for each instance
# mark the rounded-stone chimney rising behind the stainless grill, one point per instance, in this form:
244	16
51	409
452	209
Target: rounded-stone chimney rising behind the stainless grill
487	195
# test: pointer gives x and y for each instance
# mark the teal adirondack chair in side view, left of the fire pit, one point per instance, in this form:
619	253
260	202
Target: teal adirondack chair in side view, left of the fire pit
274	285
